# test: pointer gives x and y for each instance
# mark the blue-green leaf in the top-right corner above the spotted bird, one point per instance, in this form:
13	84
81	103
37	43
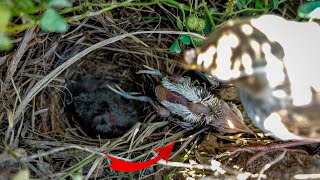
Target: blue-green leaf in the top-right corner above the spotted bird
309	10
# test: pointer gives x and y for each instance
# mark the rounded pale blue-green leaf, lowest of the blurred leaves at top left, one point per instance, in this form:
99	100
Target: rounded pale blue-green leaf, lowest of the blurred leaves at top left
52	21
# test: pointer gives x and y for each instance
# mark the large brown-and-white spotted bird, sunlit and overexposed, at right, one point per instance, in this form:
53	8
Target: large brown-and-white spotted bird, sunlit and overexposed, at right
275	69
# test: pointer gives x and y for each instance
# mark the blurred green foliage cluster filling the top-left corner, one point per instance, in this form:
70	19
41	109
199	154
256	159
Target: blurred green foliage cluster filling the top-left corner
30	11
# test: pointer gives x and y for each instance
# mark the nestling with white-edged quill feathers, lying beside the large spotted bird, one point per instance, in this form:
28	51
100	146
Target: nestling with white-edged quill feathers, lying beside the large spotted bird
193	103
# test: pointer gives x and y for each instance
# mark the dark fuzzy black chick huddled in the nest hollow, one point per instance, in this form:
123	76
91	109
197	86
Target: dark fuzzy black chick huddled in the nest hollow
98	110
